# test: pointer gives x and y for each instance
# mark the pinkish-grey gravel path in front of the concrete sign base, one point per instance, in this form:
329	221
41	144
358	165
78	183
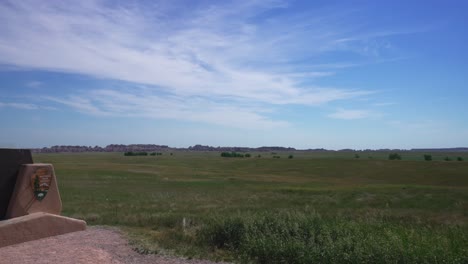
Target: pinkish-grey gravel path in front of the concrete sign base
94	245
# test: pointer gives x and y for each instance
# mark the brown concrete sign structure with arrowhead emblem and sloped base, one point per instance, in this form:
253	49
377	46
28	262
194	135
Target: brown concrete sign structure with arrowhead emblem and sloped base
34	206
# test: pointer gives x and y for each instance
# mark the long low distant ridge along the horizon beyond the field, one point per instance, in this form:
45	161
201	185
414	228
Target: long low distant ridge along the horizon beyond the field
154	147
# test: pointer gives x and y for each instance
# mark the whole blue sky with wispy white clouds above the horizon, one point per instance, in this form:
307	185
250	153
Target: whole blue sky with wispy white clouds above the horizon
303	74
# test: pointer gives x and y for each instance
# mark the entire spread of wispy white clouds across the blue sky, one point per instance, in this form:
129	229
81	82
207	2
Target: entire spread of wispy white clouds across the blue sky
223	53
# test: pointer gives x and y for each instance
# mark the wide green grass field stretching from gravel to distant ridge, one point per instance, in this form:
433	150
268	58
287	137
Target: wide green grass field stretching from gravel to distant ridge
320	207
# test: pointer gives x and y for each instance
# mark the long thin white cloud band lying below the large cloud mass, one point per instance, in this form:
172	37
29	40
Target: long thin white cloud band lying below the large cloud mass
141	104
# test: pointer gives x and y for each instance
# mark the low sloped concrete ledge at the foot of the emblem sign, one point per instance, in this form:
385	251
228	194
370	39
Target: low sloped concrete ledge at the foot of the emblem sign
36	226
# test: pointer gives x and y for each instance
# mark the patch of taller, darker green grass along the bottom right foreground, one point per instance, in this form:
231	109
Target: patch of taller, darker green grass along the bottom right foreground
299	237
